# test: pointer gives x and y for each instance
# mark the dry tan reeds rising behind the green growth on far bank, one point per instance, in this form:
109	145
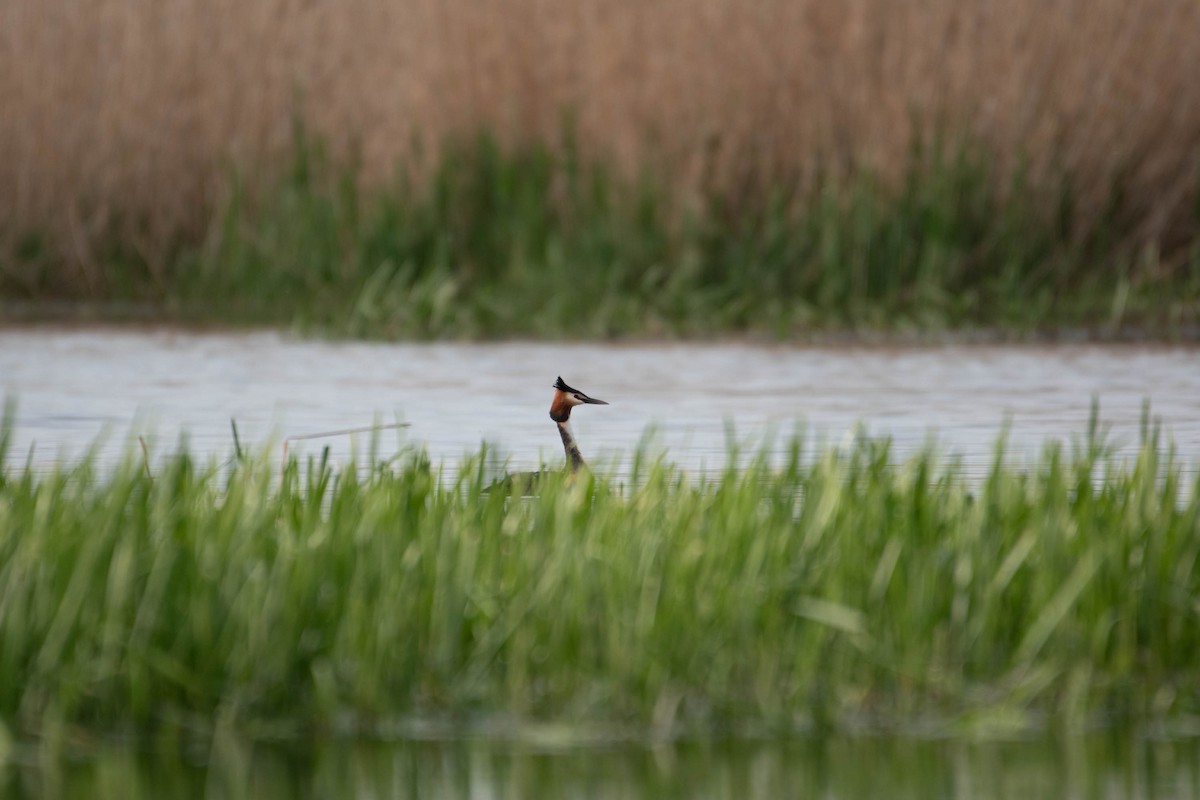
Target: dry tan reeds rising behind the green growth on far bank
129	113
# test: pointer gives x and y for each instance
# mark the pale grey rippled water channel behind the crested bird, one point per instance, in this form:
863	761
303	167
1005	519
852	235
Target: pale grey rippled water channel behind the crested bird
75	386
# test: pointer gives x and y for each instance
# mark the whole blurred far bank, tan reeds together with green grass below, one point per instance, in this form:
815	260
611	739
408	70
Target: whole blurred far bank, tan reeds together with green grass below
601	170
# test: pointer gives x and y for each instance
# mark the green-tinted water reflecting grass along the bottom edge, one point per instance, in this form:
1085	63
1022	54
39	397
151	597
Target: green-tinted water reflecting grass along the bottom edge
841	769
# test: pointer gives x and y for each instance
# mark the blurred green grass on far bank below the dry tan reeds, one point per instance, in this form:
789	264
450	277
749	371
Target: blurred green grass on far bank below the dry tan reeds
493	243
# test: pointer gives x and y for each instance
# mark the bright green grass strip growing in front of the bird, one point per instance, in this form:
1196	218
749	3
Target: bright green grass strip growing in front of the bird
835	592
